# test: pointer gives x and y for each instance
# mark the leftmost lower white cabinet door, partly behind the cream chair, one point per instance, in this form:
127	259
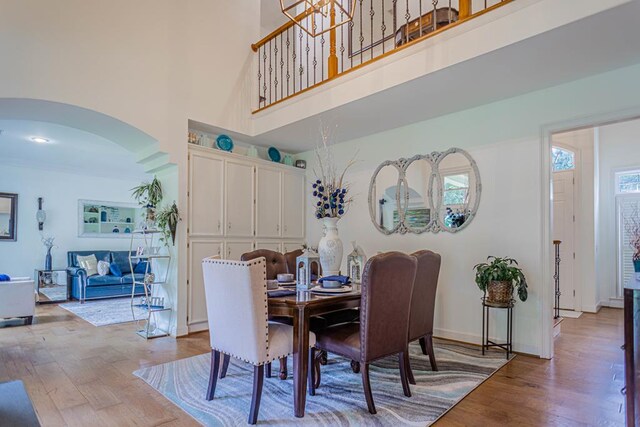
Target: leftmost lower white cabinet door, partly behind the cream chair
198	250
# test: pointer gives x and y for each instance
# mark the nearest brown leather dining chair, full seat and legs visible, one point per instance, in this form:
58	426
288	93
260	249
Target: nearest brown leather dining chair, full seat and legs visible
387	286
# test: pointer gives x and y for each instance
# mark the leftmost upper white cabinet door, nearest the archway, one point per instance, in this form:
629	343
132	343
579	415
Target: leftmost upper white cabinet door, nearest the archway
205	195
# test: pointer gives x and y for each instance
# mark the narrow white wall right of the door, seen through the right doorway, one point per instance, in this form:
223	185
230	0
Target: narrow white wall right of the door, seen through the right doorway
583	142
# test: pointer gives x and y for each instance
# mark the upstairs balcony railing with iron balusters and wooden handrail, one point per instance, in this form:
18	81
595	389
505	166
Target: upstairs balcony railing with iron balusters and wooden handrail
290	62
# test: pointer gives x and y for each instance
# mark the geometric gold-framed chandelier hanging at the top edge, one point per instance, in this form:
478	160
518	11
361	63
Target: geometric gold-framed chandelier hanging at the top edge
318	16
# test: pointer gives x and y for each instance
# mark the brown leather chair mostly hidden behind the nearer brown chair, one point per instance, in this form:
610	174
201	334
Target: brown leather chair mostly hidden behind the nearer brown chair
423	304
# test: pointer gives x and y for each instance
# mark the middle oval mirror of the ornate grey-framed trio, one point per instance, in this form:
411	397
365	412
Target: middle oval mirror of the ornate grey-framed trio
416	195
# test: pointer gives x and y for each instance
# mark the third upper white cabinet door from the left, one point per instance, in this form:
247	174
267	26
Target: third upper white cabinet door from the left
268	202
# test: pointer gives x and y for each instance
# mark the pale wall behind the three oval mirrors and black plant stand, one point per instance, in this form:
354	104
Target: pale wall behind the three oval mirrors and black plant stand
507	139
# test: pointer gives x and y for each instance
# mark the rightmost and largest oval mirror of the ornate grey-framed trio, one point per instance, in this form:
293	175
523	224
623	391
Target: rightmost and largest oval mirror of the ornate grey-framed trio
459	189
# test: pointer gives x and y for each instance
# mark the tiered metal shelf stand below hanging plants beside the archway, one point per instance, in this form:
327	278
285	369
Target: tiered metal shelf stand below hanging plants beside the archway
142	249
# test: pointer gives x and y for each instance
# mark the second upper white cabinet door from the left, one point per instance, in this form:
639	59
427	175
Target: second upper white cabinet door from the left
239	199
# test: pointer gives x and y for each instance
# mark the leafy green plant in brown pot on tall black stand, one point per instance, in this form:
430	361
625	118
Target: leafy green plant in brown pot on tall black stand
497	278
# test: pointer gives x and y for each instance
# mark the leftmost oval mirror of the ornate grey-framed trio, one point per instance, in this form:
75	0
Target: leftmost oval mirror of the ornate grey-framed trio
384	198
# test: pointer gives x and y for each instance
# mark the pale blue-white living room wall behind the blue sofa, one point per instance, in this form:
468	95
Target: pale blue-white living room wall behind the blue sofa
61	192
